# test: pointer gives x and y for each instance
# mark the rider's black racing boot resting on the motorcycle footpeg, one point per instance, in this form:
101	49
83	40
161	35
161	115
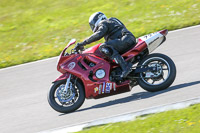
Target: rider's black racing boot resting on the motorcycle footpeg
125	66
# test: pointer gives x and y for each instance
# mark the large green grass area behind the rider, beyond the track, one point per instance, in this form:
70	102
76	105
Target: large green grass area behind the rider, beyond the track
32	30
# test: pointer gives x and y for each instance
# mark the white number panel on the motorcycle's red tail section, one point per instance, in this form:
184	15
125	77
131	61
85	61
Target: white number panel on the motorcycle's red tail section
152	40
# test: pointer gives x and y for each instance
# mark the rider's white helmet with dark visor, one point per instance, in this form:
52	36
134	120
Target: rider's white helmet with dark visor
95	19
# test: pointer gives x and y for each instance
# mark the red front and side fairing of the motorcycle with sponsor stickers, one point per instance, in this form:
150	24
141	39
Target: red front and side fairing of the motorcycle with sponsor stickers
77	65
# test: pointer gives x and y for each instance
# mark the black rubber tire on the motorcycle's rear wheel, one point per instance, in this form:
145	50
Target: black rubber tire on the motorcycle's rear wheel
167	82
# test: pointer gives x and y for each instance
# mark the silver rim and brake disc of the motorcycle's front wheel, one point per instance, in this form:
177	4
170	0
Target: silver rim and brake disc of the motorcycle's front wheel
66	99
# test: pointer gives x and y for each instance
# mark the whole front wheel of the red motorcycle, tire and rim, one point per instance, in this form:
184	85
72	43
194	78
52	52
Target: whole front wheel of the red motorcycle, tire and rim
66	101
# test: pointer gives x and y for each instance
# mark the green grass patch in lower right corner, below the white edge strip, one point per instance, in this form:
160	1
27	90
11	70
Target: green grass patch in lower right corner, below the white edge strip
176	121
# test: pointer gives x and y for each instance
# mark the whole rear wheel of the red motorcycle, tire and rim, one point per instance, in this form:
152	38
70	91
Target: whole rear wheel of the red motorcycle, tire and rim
162	76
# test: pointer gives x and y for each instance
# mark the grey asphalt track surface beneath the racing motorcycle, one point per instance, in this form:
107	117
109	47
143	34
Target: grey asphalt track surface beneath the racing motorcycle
23	98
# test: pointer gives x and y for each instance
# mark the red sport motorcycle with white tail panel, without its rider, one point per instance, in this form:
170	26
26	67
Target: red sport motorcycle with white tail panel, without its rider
88	74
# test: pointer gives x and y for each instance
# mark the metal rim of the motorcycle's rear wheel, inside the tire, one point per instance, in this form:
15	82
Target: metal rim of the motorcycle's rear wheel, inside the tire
158	77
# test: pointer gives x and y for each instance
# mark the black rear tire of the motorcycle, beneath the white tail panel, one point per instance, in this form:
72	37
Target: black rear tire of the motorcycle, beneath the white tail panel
166	82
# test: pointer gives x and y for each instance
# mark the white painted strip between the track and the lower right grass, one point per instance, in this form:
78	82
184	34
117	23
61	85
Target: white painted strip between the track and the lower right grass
124	117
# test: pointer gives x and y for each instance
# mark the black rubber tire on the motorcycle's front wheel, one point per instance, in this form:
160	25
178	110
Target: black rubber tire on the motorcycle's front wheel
54	104
